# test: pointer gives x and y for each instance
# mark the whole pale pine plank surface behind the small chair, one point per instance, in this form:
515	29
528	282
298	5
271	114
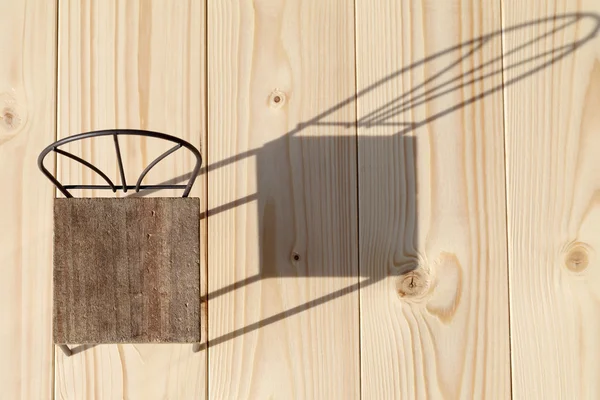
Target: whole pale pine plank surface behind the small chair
402	196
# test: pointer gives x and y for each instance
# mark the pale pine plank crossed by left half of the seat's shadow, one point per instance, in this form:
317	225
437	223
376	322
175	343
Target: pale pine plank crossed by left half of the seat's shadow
283	272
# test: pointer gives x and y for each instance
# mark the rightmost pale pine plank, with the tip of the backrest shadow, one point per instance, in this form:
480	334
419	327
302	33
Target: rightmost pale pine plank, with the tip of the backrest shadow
553	175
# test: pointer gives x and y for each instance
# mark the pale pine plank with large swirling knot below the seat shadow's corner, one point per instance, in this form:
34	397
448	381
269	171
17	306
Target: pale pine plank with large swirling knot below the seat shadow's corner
434	311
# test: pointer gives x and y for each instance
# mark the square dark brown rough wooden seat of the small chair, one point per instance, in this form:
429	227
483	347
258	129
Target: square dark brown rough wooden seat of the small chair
126	271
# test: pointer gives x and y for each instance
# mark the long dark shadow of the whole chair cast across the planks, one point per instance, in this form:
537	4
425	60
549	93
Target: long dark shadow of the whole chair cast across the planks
283	192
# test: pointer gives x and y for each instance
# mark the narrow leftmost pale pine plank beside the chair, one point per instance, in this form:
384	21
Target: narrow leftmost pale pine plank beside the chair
27	124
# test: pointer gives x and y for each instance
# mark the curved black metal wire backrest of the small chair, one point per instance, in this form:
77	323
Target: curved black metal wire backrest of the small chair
115	134
